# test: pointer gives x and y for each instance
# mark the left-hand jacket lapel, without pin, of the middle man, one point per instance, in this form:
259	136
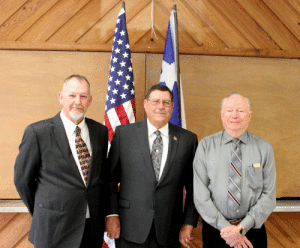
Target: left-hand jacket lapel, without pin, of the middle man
142	135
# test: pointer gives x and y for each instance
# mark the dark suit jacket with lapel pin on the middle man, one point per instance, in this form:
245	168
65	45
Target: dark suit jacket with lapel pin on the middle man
141	199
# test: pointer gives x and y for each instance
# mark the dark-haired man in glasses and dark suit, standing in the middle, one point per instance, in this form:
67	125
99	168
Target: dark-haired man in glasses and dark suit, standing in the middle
150	210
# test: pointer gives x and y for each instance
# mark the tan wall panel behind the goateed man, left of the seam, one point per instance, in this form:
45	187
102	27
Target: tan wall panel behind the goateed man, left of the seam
30	82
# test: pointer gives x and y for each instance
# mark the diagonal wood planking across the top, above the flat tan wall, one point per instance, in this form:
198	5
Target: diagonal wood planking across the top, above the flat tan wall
263	28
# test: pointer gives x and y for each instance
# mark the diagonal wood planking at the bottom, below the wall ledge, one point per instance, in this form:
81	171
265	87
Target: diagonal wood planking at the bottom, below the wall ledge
283	230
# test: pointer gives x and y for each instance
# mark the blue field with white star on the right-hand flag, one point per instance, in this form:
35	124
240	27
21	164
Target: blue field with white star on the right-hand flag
168	75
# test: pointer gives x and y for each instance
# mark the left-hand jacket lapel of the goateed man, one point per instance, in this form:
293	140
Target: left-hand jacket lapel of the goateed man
63	144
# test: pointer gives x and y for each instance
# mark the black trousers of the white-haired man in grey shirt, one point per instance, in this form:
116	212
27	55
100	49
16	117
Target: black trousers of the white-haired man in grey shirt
211	237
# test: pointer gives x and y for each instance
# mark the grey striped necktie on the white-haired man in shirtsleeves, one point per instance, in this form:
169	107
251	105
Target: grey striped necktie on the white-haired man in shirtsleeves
234	186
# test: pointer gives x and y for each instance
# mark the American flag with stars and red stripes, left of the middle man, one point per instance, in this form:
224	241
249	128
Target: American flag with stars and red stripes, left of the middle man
120	97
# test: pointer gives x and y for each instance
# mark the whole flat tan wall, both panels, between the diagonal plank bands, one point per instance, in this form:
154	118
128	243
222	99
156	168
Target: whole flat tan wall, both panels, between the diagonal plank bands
30	82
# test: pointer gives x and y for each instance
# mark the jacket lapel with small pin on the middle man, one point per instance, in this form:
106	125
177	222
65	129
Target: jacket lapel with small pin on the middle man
172	150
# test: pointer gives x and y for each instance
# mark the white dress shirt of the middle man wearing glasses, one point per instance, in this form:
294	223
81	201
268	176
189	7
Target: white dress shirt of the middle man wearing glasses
165	137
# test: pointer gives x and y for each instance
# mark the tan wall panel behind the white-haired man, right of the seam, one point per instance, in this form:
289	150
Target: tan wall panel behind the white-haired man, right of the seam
271	84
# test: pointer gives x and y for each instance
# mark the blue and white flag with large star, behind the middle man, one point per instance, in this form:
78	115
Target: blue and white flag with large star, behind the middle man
168	75
